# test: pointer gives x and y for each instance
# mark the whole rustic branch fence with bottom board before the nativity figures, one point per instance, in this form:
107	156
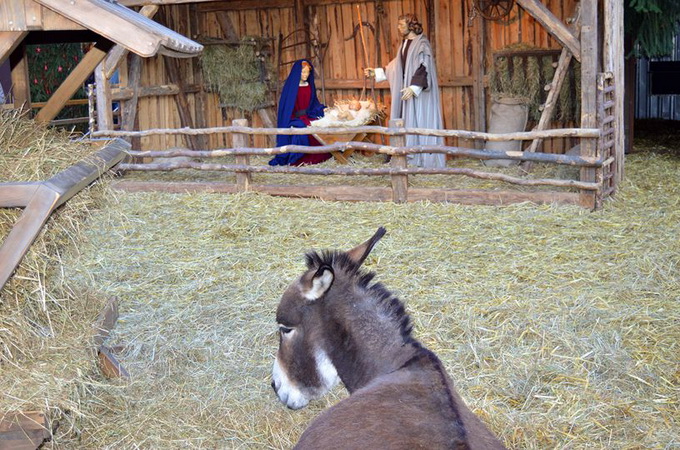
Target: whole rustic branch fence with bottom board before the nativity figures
589	193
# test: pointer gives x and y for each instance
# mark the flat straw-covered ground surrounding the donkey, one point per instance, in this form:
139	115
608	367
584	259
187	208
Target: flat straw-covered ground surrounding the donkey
559	326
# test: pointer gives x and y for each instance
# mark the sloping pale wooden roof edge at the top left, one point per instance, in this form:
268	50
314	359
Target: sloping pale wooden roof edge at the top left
125	27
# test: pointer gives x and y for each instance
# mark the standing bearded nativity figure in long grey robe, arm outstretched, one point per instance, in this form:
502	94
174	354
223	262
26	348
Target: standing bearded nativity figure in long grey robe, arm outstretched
412	76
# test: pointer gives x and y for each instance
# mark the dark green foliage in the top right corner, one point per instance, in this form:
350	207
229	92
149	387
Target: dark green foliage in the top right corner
652	24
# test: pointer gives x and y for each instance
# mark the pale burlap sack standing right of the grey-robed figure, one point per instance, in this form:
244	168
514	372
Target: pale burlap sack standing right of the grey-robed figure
508	115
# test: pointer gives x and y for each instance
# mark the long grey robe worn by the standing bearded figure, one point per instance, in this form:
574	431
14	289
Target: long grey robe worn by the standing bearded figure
423	111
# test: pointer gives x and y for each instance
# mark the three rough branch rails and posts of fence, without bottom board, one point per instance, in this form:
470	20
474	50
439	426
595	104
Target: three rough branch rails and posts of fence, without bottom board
399	171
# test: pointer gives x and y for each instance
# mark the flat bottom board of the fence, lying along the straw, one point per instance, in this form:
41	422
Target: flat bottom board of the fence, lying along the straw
358	193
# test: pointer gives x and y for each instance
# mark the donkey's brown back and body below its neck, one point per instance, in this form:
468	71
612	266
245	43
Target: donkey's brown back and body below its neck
414	407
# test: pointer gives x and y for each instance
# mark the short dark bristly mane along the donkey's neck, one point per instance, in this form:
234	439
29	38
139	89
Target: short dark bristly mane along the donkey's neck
386	300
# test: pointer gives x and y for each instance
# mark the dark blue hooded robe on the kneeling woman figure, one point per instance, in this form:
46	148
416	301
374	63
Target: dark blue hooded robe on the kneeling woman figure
285	113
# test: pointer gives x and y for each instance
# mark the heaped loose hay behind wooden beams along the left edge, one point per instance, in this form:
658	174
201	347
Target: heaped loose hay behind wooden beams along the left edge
45	322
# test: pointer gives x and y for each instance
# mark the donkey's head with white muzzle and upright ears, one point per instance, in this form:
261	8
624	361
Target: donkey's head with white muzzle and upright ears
302	369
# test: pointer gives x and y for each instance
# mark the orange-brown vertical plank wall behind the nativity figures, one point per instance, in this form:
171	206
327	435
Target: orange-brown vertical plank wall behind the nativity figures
454	38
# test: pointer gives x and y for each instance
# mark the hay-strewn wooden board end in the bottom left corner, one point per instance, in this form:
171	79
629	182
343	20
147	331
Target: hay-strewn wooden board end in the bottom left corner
23	430
